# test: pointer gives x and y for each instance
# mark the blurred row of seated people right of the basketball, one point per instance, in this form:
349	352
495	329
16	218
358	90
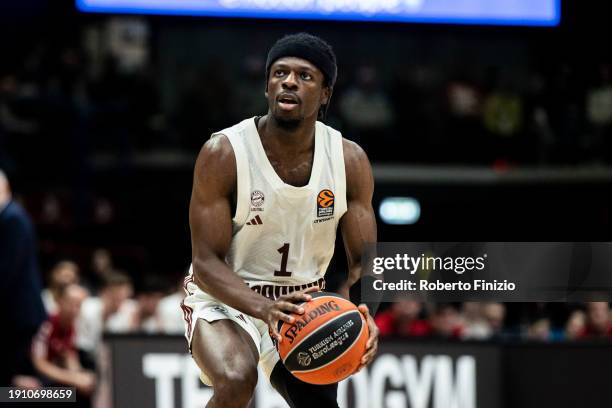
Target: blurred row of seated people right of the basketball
545	322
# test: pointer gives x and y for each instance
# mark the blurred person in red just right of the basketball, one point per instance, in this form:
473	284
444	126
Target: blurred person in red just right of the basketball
402	319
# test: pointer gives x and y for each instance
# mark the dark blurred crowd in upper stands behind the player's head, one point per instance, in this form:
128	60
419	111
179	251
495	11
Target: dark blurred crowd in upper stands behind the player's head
107	92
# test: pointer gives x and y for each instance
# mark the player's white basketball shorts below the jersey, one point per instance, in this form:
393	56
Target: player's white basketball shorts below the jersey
200	305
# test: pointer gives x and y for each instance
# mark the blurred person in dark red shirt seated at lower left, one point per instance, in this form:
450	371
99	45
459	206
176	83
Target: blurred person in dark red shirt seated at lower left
53	350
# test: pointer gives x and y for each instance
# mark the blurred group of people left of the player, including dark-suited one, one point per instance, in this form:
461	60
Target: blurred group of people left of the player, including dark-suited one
56	320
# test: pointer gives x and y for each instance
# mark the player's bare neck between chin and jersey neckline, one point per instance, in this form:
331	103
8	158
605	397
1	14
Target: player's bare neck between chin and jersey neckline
299	139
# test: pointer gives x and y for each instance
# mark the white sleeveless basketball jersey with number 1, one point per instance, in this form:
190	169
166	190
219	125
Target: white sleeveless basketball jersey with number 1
284	236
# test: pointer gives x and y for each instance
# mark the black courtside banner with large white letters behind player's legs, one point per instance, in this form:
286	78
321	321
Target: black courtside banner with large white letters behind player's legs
158	372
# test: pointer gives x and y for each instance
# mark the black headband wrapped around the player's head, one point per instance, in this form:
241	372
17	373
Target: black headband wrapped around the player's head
307	47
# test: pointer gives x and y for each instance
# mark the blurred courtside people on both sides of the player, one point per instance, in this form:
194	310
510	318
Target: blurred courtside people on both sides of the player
57	323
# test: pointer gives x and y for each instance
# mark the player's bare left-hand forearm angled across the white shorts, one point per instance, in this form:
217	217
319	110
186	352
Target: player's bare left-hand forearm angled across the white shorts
214	277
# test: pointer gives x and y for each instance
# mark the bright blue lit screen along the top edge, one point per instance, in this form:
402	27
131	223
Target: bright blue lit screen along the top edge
497	12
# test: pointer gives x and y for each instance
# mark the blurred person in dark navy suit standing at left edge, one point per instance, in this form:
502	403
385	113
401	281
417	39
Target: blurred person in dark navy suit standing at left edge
21	307
